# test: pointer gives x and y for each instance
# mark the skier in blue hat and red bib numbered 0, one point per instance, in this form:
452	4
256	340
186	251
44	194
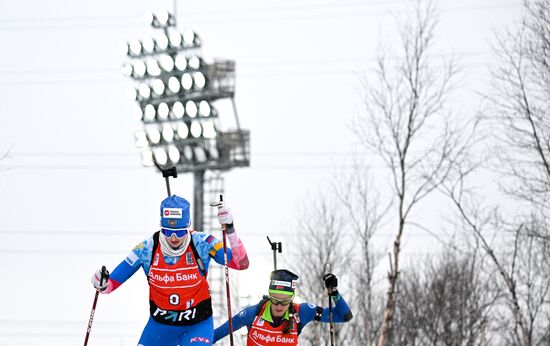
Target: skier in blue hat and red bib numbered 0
175	261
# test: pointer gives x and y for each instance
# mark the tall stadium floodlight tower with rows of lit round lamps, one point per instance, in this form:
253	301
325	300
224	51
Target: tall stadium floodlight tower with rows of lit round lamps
175	91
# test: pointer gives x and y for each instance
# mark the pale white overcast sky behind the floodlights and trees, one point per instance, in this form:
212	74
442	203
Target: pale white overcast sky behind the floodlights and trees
73	194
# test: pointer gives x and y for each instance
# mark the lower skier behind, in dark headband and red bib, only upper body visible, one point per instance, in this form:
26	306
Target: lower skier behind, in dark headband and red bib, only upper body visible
276	320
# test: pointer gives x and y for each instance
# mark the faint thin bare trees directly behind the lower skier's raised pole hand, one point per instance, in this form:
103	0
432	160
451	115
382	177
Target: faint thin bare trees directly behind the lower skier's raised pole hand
336	230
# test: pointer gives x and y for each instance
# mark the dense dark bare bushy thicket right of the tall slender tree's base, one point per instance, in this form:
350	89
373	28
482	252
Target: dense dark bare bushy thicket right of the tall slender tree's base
447	302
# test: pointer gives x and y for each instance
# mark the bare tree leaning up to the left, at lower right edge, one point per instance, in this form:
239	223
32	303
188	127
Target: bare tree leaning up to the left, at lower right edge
520	263
